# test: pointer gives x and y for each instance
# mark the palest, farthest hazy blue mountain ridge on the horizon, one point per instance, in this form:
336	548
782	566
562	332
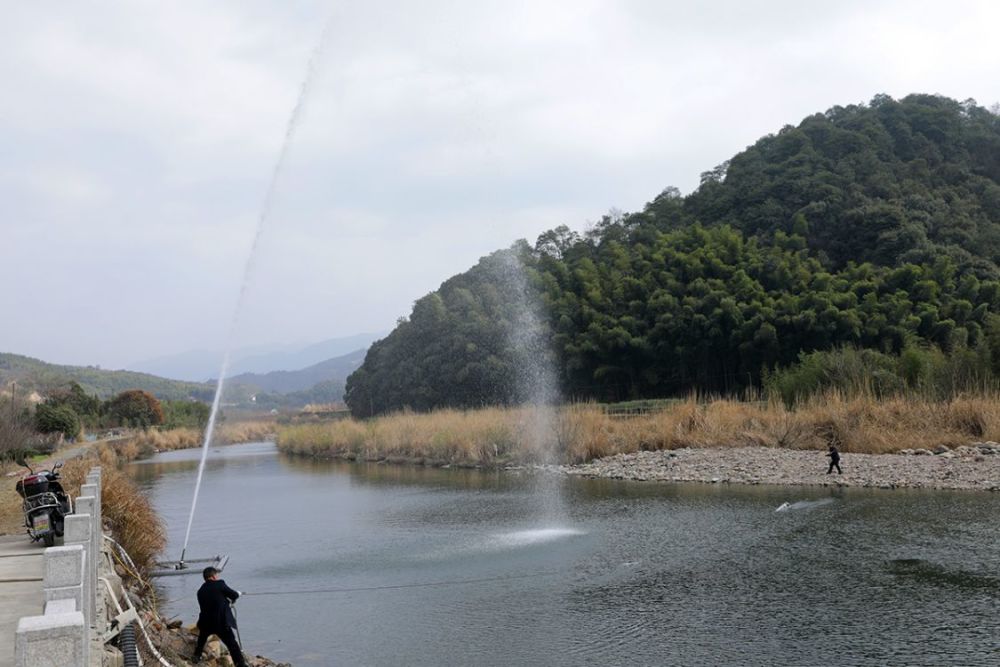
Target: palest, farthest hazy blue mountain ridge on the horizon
204	365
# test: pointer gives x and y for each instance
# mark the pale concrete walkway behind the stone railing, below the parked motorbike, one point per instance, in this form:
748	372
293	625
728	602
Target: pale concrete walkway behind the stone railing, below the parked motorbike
21	570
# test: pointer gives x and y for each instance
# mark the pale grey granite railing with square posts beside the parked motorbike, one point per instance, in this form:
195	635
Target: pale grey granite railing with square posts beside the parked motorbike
66	634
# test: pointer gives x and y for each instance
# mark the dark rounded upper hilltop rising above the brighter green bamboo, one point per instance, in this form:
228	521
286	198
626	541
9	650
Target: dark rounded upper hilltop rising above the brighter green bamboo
886	183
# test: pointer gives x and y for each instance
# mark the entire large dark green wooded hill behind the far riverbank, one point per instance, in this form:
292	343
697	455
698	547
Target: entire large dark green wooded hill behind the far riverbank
874	226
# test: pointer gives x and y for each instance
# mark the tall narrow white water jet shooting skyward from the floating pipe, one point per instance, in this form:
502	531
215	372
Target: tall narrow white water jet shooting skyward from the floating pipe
265	214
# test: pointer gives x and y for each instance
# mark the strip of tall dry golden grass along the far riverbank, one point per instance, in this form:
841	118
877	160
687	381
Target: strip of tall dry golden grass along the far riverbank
494	436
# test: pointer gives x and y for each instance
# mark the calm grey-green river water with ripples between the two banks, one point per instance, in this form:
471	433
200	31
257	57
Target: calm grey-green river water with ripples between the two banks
419	566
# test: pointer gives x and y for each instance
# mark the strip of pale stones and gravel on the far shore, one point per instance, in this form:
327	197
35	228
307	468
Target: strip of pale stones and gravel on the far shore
972	467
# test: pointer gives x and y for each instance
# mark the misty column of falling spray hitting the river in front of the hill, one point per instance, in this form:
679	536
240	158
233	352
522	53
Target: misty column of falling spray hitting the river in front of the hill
535	380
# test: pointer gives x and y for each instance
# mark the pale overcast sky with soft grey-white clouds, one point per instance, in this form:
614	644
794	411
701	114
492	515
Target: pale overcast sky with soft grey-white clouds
137	140
